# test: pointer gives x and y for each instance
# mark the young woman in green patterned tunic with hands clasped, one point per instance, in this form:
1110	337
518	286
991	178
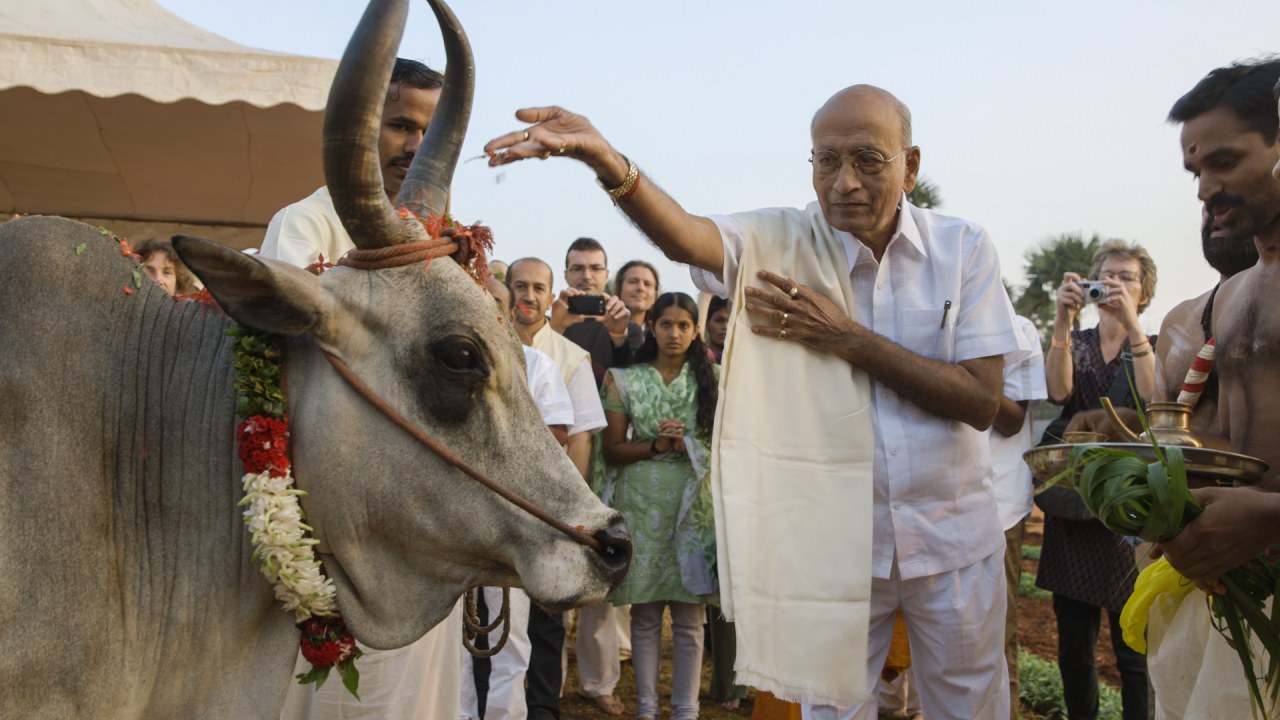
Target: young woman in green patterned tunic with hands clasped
660	416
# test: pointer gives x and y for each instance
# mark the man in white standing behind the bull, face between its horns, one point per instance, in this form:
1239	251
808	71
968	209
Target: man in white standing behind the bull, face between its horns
422	681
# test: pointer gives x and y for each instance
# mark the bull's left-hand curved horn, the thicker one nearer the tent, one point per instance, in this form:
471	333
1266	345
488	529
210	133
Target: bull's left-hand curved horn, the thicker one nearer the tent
351	122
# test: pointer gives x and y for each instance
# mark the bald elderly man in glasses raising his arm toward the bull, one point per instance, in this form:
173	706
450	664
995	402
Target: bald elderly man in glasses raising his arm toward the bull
856	394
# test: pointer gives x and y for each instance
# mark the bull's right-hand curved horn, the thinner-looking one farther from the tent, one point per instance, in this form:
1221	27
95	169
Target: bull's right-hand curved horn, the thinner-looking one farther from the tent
427	186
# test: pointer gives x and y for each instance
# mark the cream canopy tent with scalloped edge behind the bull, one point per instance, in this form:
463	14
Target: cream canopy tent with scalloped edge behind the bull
122	115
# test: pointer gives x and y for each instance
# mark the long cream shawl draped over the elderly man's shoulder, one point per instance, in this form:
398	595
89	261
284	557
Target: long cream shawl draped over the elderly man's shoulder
792	476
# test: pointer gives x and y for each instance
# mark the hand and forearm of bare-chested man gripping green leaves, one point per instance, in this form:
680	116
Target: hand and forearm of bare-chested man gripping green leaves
1237	526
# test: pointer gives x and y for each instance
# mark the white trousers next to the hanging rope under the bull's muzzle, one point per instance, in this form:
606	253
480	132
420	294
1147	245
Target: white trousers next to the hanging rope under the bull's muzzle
506	699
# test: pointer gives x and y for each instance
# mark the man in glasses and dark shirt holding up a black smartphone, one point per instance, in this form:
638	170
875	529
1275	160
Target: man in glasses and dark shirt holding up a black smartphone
586	315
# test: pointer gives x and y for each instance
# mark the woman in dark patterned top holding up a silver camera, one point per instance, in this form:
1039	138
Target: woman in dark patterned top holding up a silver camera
1085	566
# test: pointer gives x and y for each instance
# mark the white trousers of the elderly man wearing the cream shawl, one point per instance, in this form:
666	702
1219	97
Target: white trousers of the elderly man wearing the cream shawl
957	626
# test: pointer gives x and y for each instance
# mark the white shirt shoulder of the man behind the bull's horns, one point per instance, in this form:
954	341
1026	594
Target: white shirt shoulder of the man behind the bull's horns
303	233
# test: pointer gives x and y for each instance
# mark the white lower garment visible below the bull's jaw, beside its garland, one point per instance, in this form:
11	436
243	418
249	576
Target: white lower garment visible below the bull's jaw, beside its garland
418	682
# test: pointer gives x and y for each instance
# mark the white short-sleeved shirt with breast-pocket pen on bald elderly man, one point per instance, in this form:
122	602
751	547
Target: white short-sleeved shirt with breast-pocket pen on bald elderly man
935	507
